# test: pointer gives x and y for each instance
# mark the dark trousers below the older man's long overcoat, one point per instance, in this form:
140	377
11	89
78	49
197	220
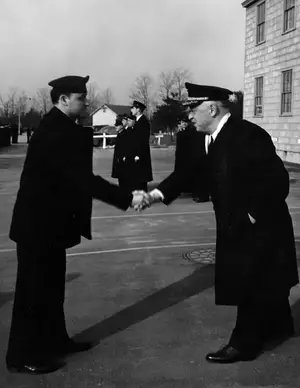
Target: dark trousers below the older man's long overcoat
259	321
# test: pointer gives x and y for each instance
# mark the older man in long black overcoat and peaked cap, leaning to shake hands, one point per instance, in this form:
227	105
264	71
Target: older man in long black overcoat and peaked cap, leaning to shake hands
255	249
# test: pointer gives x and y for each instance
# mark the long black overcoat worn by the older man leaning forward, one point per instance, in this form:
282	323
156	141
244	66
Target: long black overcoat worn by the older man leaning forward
247	177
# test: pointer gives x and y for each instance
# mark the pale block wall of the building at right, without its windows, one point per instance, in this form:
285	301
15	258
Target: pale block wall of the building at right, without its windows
279	51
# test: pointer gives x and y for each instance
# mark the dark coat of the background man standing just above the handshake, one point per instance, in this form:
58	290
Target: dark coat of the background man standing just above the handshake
137	144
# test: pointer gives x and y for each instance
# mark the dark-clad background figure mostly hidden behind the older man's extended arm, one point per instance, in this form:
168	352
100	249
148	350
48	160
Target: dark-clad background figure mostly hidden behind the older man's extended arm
190	153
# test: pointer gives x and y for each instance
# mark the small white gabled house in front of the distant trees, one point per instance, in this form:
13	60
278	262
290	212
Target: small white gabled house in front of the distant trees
106	114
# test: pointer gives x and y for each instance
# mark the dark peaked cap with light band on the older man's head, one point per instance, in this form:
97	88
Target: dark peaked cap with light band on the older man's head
199	93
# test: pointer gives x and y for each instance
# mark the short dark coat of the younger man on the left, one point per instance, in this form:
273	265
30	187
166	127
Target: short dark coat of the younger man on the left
57	185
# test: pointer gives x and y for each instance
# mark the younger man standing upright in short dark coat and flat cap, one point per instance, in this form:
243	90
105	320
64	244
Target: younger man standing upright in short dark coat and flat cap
52	211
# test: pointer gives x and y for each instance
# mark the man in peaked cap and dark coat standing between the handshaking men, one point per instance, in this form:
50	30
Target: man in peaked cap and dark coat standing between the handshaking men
138	157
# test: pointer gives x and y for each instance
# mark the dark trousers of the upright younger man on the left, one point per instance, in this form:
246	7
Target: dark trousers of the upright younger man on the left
38	326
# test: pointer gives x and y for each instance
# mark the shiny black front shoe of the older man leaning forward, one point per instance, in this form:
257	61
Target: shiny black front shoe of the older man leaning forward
228	354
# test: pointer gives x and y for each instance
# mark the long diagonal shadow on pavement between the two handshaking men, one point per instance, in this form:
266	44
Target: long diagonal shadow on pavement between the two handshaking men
200	280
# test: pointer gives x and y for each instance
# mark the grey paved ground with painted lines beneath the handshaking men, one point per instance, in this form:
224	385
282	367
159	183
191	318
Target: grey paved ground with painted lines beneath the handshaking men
150	311
